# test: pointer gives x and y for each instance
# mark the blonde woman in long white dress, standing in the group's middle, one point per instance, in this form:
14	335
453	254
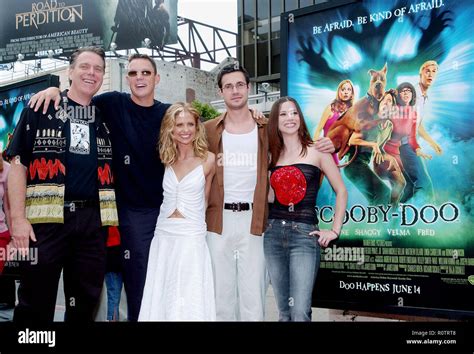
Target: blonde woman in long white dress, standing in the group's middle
179	282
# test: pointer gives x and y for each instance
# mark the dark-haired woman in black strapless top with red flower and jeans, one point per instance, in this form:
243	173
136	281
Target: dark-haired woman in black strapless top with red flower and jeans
292	239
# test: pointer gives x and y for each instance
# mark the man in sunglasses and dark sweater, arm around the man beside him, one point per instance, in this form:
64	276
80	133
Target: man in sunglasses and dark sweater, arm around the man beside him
134	121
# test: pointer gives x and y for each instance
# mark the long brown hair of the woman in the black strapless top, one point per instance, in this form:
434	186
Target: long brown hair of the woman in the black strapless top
275	140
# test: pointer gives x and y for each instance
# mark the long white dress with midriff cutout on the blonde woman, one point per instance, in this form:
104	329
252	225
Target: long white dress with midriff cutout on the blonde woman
179	282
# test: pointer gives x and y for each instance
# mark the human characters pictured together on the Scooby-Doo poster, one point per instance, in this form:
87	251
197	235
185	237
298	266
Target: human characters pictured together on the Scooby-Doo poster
392	146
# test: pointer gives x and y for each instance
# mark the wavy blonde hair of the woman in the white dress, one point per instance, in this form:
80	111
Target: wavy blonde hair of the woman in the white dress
167	147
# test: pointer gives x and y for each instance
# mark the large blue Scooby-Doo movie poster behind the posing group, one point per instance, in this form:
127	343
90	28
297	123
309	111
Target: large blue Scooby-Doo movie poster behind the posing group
391	83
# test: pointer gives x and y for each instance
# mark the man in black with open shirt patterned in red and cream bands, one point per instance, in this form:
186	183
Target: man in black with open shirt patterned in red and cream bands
62	197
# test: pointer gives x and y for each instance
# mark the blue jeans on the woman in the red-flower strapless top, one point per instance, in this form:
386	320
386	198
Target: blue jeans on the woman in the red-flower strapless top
292	257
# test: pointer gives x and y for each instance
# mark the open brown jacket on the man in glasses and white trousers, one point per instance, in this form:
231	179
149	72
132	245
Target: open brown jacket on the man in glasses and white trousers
214	129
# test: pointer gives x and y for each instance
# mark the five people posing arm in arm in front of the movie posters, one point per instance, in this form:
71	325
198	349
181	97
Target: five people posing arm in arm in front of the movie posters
198	229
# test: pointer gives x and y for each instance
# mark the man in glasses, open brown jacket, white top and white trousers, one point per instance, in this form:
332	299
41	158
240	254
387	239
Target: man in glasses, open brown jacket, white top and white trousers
237	211
